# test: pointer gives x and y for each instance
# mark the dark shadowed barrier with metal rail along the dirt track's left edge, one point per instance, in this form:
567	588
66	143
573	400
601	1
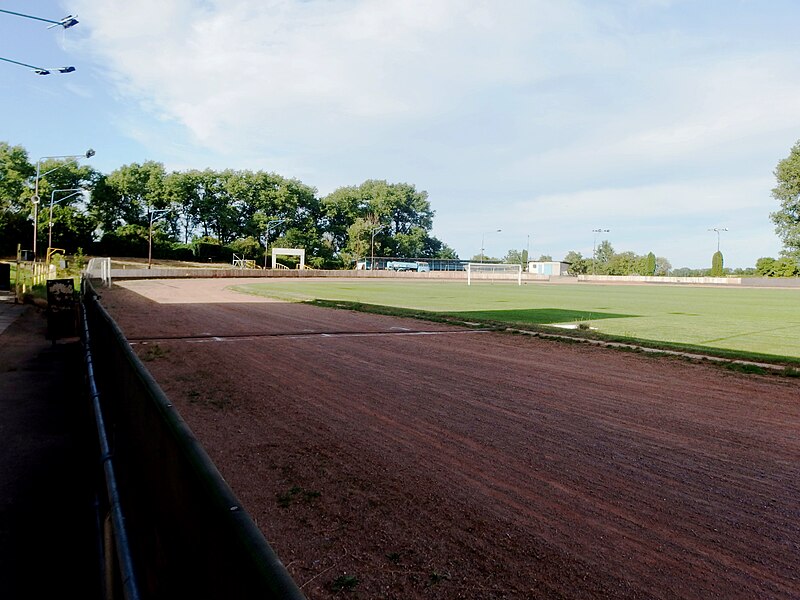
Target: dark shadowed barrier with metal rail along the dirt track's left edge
187	534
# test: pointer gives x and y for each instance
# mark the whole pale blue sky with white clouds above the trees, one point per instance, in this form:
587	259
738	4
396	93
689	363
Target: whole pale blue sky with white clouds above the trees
657	120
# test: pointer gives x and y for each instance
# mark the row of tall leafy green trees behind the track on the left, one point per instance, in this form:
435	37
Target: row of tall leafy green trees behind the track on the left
209	214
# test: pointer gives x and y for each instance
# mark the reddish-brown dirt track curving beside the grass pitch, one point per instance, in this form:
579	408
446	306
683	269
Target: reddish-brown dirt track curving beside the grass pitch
382	462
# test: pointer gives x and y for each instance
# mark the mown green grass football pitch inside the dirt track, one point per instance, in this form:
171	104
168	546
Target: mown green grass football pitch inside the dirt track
744	321
